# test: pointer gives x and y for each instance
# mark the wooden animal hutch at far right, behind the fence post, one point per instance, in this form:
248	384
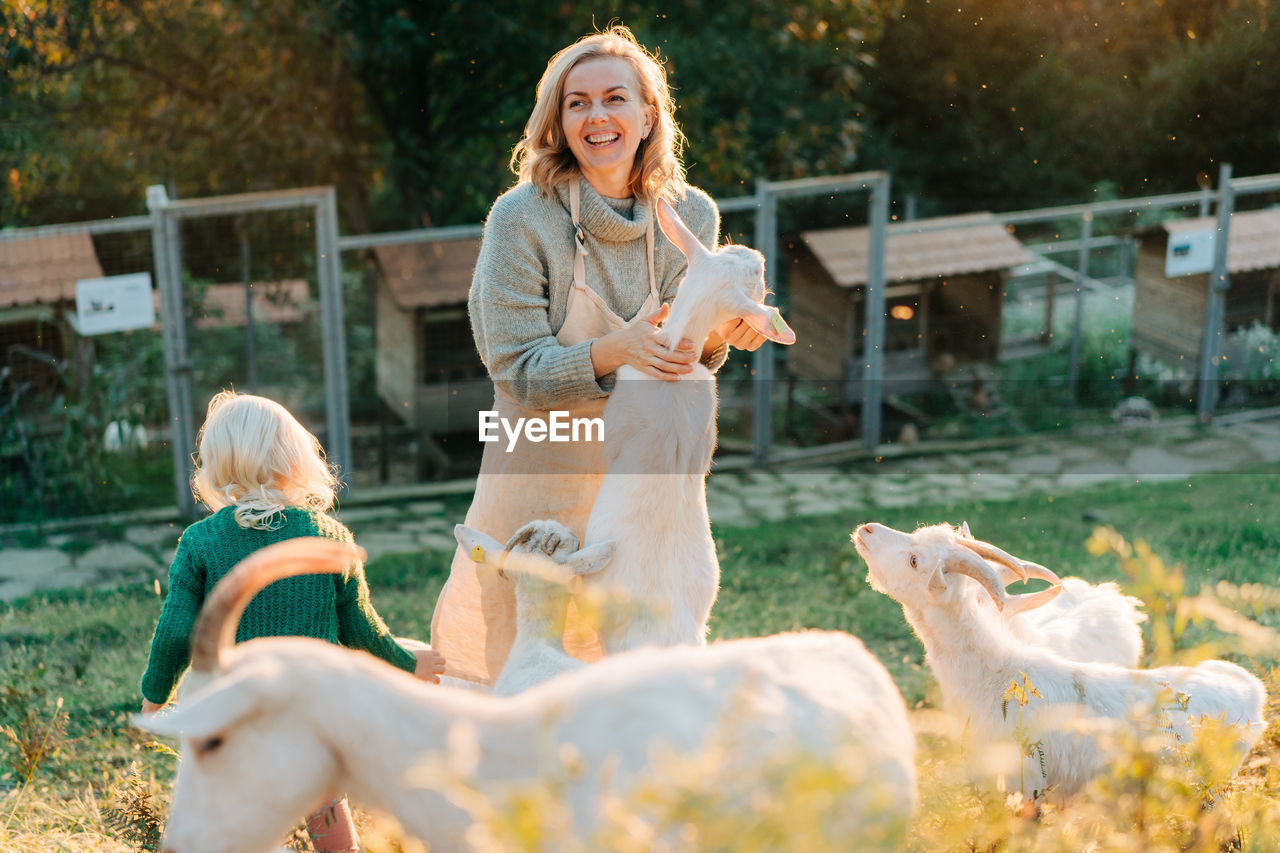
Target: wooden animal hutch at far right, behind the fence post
1169	312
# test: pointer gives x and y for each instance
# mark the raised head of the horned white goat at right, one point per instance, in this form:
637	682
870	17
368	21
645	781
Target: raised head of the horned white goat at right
926	567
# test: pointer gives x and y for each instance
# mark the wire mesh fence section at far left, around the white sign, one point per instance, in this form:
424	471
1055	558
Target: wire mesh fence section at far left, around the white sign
81	417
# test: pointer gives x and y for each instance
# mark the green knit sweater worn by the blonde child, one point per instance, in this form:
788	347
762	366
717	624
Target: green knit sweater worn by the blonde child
326	606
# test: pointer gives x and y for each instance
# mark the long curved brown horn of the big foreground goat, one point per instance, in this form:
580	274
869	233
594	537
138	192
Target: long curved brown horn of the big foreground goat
216	627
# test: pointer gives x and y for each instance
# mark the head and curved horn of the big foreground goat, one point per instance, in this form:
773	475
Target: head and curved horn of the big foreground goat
244	752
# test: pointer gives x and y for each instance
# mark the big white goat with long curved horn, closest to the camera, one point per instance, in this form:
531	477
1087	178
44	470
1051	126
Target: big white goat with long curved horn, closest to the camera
282	723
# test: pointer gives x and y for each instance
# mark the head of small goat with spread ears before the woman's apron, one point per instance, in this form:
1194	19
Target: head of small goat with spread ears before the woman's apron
543	550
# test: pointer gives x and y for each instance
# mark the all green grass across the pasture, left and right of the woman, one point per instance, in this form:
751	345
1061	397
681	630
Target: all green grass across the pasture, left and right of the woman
70	663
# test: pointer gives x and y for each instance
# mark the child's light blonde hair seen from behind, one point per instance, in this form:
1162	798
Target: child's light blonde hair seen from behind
257	457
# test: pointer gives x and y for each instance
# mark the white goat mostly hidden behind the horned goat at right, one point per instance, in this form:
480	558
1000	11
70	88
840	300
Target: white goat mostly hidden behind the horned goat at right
1078	621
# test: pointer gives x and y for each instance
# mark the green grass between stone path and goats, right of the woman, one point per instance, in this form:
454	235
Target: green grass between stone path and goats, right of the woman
806	574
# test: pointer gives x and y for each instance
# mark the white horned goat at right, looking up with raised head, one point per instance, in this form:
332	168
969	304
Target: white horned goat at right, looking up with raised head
932	574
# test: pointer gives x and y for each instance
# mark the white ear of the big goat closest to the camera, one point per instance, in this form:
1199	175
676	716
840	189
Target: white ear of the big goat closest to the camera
216	708
